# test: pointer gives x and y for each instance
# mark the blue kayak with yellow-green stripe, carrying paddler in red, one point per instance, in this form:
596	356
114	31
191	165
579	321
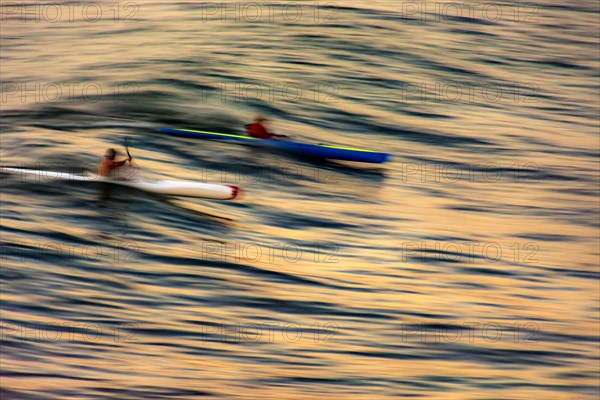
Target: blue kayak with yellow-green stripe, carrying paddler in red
304	149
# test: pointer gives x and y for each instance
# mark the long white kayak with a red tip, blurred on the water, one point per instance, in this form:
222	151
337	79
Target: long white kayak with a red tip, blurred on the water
171	188
